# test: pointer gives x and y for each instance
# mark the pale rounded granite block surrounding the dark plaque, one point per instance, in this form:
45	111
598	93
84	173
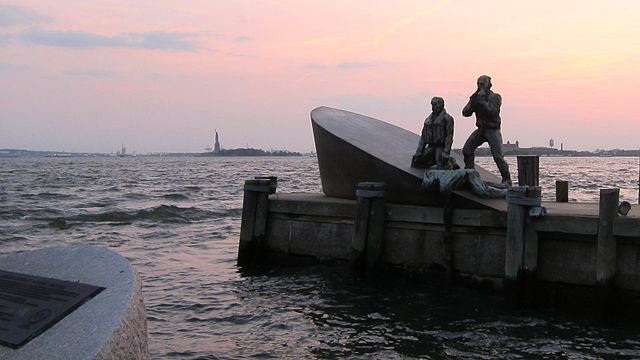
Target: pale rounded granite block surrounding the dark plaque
112	325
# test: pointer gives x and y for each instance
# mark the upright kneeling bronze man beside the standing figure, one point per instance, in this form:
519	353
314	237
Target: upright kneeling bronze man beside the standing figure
434	147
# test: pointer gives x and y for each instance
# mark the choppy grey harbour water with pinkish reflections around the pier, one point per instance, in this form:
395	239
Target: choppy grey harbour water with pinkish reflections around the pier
178	221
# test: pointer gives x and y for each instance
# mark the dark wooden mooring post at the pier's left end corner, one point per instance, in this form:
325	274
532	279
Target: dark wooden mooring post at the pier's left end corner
255	210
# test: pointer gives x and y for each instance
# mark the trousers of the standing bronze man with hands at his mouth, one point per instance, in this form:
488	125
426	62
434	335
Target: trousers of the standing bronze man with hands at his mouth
494	138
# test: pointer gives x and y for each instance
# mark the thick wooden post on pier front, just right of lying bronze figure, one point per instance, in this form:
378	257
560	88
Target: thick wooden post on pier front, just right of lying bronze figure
521	257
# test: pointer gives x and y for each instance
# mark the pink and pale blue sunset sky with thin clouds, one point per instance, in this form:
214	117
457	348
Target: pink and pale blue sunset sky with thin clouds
159	75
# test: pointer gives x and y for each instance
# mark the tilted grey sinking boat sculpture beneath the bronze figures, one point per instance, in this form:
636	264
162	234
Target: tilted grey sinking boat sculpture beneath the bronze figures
353	148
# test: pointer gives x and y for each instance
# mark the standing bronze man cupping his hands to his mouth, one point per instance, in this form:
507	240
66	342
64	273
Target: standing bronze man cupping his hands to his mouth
486	105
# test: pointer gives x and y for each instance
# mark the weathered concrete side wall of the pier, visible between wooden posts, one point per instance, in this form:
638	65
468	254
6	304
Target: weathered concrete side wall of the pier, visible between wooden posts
322	227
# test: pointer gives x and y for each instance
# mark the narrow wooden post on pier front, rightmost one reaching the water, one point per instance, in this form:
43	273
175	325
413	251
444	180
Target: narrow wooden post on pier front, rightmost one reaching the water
606	257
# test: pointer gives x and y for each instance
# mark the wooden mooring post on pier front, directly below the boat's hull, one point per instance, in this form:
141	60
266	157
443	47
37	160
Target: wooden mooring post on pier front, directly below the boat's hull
368	236
